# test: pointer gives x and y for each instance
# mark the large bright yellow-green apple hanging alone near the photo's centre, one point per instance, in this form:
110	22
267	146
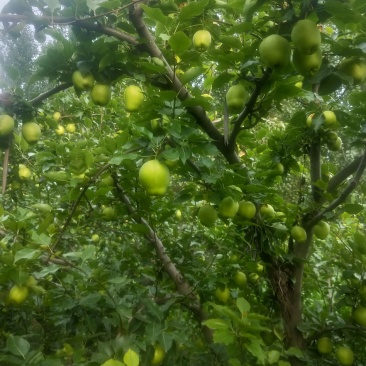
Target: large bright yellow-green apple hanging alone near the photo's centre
154	177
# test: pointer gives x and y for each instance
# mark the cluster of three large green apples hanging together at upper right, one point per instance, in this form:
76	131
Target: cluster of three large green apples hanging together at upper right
275	50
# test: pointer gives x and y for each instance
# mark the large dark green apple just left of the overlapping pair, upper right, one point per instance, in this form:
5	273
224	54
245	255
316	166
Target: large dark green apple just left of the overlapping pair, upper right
275	51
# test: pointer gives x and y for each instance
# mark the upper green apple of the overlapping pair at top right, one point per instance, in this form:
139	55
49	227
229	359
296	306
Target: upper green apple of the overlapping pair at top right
305	36
